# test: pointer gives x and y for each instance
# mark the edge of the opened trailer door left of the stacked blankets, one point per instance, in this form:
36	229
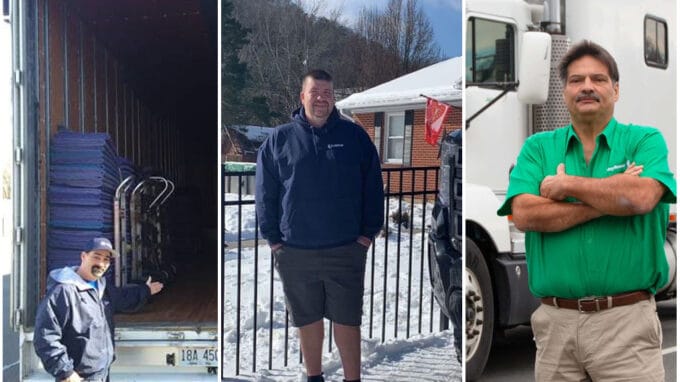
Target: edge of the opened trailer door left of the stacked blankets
25	155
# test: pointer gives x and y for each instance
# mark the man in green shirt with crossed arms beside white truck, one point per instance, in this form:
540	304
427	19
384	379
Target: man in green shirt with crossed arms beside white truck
592	197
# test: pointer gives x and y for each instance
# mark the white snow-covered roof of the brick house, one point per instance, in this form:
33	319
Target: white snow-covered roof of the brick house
441	81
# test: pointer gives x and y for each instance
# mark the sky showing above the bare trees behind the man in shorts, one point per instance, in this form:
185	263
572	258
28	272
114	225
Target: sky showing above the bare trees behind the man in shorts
444	15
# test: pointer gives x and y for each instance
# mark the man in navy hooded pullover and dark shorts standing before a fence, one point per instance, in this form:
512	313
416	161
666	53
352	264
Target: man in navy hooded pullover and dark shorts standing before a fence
319	202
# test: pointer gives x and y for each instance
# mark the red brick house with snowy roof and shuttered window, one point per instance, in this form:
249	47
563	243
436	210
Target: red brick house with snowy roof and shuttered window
393	114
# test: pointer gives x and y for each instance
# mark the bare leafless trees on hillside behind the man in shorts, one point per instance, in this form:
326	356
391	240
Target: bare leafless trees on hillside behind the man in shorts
286	38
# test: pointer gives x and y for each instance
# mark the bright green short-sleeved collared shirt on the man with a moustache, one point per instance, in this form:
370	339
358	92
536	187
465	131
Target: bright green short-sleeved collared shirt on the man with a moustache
610	254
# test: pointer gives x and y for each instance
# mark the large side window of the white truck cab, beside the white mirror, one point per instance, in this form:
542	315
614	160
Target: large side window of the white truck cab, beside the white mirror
489	52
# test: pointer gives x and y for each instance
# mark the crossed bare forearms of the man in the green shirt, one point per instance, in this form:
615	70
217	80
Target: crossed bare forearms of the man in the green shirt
619	195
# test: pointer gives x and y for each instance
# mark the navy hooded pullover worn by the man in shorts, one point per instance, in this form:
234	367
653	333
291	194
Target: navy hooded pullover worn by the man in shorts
318	187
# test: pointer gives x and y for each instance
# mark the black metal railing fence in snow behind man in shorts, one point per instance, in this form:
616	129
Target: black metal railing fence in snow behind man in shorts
398	301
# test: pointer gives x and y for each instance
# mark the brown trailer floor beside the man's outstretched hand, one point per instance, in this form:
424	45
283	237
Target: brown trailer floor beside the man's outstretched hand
190	299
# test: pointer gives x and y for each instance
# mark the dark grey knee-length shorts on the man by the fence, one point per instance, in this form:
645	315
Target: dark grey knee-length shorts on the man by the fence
321	283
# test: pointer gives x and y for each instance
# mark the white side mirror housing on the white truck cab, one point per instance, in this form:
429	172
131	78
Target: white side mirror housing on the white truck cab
534	68
